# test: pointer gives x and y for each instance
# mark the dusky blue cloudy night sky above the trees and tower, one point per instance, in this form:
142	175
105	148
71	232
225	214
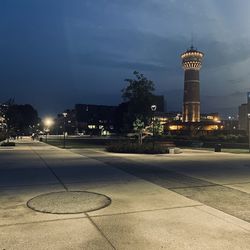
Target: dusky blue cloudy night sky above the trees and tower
55	53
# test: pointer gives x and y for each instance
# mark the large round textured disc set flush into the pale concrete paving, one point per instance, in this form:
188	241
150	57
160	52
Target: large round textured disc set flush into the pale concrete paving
68	202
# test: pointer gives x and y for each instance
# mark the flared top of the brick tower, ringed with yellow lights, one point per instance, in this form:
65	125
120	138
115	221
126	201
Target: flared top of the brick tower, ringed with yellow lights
192	59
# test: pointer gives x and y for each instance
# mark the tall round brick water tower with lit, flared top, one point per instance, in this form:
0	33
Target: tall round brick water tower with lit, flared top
191	63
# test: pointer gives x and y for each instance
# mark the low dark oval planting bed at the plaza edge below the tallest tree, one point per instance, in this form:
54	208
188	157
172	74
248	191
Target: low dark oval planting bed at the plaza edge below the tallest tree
146	148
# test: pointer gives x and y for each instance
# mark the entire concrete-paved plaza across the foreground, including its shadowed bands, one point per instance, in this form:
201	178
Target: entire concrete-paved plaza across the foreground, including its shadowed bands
194	200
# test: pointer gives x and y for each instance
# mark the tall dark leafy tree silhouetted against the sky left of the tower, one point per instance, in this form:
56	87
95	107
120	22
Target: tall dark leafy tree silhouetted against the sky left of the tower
139	96
